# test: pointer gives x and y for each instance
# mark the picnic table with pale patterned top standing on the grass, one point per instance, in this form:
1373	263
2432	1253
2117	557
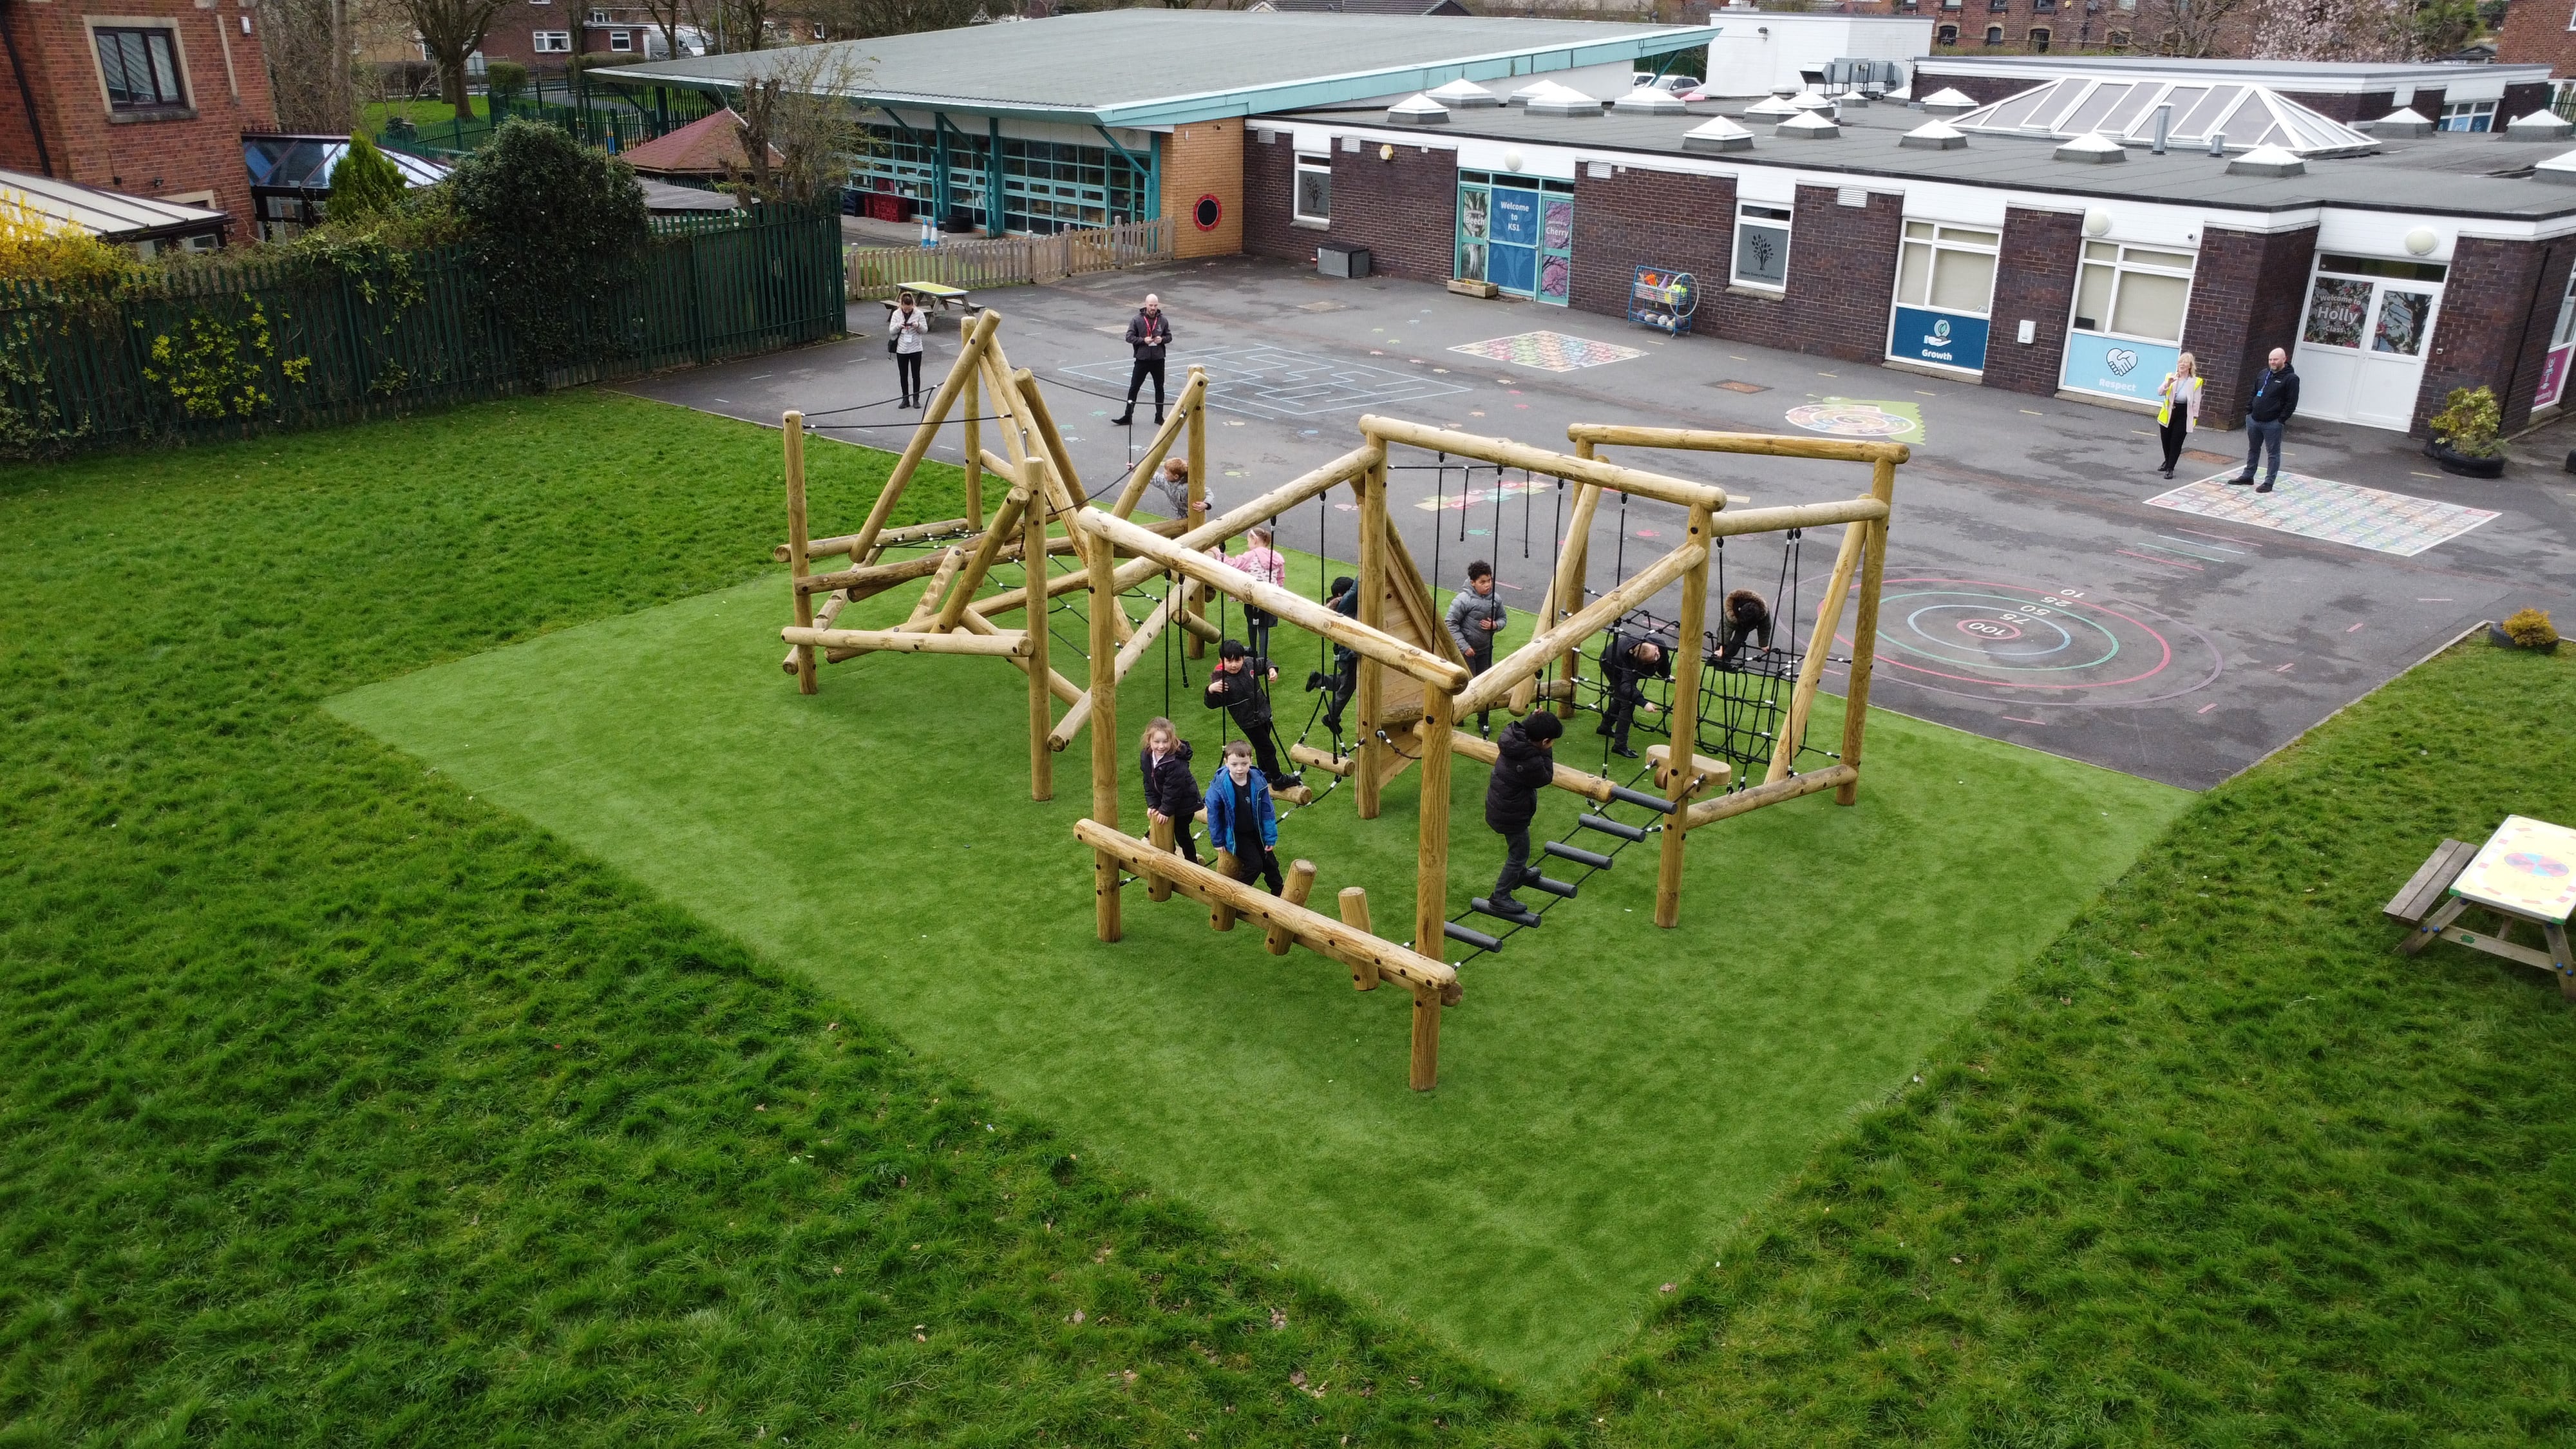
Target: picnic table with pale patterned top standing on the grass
2526	875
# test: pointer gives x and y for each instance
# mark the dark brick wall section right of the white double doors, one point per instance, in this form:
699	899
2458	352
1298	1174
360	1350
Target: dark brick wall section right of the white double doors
2497	311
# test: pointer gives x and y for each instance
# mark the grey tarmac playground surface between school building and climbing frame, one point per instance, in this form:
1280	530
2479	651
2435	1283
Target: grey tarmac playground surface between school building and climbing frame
2044	587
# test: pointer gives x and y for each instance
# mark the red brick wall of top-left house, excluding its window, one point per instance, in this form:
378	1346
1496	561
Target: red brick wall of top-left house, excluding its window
171	153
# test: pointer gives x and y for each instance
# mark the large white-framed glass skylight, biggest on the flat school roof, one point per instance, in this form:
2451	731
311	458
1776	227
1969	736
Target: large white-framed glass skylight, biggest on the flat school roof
2126	112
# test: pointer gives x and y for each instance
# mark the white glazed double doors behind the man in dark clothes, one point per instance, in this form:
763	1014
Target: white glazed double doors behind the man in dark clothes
2361	347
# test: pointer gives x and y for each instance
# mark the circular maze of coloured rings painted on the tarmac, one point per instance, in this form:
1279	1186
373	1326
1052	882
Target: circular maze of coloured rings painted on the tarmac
2029	643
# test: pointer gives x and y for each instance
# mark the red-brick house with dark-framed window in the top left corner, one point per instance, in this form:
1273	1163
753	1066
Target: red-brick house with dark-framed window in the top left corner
143	97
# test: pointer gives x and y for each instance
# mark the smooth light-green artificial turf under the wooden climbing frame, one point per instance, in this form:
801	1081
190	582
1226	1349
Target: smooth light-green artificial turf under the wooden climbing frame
882	839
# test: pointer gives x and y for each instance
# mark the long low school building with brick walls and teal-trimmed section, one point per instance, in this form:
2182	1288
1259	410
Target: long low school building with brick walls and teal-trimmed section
2052	226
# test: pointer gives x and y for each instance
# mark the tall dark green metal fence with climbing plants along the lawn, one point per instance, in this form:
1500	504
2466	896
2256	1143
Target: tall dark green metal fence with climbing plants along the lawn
285	344
